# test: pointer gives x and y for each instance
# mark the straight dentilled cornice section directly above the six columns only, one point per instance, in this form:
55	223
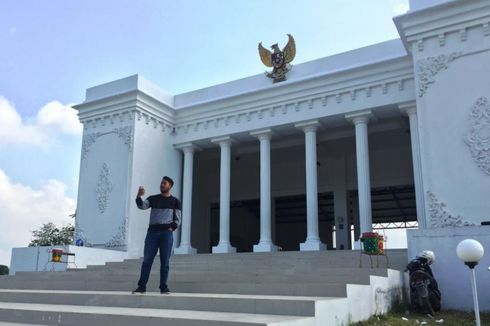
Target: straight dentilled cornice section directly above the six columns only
366	86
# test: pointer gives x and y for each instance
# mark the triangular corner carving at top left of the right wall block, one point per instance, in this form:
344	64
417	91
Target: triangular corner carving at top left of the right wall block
428	68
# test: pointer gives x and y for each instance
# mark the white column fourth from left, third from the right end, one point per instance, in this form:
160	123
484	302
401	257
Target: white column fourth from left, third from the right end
312	238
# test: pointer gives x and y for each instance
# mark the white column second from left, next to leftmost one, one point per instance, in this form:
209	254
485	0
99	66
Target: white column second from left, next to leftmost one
224	245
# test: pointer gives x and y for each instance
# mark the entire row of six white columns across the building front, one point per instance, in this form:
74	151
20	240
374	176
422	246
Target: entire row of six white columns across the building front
360	121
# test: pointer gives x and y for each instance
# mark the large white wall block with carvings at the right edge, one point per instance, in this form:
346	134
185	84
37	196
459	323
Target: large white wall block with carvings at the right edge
450	46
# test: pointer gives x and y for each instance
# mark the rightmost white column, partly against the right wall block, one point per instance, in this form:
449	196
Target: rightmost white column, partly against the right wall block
410	109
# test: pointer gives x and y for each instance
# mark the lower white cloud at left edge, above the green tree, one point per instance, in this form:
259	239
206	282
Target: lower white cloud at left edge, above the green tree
23	209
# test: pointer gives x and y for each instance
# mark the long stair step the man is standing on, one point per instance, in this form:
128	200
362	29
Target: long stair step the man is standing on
262	304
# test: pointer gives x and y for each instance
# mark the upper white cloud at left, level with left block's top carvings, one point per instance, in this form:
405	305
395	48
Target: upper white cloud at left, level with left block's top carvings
52	120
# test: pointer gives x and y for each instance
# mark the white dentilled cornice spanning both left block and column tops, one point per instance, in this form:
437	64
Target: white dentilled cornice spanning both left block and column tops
347	89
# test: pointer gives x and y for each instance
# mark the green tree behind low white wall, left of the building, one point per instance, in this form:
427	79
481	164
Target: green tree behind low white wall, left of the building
51	235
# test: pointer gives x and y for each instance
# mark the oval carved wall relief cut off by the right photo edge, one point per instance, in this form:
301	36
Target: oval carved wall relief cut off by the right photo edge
478	138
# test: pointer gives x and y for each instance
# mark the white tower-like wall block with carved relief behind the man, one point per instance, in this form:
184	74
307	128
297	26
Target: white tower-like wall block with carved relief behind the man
127	143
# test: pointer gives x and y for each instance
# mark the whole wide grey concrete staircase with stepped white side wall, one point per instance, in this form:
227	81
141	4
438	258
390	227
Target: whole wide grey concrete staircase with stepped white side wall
284	288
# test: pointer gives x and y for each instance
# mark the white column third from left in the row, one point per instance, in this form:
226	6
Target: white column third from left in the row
265	244
